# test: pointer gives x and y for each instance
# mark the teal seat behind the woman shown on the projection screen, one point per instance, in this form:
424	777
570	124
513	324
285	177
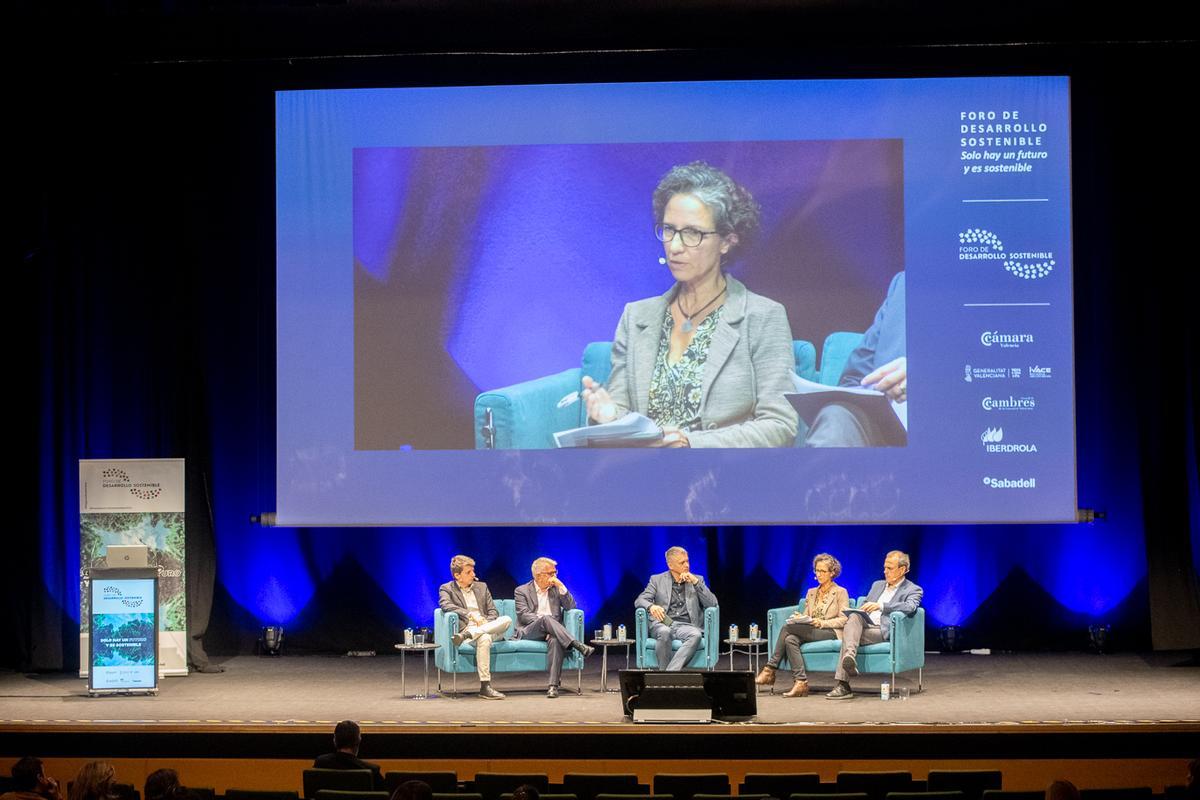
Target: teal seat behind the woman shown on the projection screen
526	416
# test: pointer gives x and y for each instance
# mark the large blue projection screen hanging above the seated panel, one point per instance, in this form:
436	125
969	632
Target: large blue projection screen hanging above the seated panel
869	321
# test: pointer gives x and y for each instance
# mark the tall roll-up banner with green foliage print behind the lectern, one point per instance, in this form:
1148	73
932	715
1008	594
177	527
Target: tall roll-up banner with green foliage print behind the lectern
129	504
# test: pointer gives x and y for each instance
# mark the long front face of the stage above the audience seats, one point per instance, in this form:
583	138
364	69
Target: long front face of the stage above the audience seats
614	743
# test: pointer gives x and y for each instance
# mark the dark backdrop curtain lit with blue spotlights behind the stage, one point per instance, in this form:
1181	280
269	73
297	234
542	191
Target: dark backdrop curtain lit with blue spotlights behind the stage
142	305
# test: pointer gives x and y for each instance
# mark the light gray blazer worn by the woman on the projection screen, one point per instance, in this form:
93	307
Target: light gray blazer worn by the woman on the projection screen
751	365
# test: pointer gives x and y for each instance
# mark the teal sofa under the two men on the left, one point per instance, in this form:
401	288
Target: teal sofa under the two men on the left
509	654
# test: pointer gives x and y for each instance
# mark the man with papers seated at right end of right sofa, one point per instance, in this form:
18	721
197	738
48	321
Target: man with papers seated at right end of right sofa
895	593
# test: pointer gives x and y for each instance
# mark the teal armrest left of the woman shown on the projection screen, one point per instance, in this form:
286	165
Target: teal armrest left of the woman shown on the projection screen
526	416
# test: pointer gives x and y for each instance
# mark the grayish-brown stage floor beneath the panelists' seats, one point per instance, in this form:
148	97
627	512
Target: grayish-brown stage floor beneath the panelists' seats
314	693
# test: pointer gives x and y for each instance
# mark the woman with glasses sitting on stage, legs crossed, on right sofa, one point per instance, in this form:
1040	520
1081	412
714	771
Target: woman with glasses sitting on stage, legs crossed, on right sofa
821	617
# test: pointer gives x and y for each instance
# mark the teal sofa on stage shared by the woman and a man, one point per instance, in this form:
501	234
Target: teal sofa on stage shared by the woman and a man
904	651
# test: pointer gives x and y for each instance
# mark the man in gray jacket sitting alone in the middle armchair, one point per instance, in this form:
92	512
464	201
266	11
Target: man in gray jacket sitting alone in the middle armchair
676	601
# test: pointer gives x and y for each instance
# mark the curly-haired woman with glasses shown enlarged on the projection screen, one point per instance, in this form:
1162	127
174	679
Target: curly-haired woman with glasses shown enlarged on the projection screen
709	362
